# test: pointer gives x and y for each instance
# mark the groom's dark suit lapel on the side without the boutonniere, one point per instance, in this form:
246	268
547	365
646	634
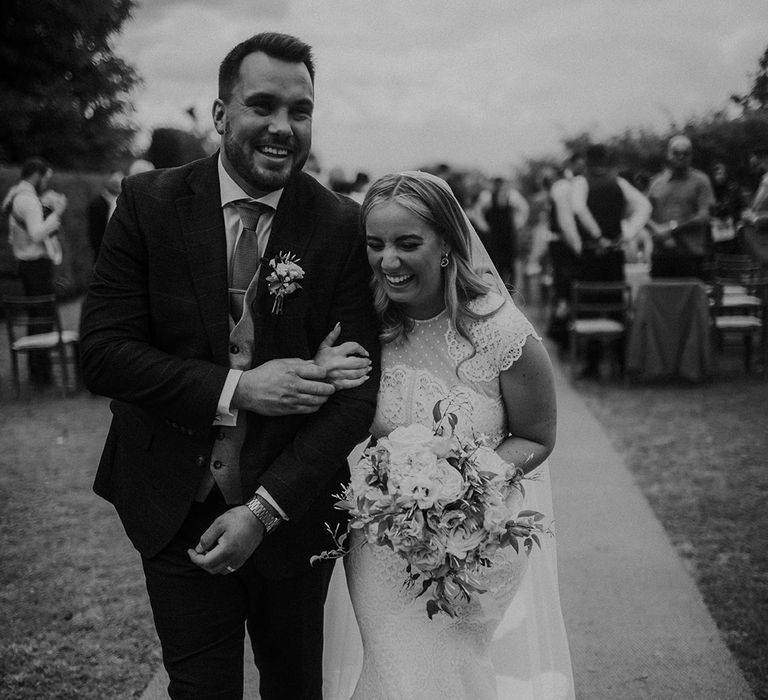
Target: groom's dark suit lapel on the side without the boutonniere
202	223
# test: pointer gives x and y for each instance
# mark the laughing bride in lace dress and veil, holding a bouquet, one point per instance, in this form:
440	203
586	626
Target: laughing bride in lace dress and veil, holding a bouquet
451	330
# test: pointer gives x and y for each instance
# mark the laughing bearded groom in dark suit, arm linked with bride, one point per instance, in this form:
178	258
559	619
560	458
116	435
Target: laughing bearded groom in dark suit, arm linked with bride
226	441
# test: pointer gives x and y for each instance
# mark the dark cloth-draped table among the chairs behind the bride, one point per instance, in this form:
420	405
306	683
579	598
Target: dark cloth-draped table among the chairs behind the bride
670	332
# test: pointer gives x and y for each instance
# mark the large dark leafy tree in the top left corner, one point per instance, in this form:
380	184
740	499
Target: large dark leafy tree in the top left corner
63	93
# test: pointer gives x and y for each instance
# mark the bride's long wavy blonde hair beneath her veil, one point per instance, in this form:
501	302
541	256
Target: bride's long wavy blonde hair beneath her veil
432	201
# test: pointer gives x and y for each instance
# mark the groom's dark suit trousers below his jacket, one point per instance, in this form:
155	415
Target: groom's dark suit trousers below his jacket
201	618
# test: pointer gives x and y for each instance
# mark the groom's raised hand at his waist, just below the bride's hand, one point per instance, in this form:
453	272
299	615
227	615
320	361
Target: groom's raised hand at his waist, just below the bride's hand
282	387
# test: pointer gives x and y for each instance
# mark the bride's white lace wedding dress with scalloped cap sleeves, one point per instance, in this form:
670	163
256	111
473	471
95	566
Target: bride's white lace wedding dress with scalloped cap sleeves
510	644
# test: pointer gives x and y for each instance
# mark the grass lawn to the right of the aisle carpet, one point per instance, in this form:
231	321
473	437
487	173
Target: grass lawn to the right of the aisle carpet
700	456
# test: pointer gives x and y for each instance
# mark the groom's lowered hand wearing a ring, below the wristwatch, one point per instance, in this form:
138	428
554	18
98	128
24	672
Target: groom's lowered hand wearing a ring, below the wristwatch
226	545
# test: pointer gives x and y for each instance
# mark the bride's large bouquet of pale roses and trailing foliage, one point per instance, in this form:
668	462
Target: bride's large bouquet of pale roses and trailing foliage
441	504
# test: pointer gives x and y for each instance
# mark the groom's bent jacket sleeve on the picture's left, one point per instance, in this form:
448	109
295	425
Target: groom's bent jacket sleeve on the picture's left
130	350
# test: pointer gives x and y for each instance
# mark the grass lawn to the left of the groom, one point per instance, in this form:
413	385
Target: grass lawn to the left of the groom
74	614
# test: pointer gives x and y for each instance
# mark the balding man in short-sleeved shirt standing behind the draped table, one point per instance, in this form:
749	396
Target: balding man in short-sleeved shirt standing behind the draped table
681	197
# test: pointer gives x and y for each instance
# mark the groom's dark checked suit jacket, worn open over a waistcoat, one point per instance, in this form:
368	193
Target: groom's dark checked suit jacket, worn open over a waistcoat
154	338
